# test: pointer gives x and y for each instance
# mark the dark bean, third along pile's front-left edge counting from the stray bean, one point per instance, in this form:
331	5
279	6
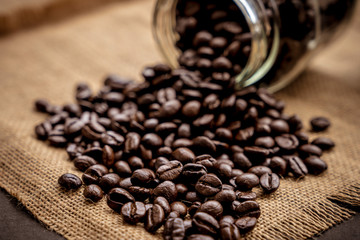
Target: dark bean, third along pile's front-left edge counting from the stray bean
117	197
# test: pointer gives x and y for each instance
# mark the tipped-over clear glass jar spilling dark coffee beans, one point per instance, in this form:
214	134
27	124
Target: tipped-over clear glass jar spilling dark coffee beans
279	38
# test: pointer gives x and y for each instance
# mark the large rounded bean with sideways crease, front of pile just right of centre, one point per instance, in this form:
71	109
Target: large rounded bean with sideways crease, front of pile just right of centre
208	185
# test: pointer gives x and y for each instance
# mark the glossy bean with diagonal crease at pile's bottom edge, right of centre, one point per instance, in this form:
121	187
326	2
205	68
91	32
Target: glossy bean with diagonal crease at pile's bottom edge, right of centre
205	223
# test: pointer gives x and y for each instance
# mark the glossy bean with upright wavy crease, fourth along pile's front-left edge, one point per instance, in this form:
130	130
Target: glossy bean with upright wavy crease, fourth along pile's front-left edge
133	212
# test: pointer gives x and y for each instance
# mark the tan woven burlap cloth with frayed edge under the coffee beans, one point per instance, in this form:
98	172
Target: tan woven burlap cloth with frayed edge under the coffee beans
48	61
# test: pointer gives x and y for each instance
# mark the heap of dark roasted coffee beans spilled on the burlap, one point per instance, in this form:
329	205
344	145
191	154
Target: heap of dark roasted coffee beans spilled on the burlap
180	152
